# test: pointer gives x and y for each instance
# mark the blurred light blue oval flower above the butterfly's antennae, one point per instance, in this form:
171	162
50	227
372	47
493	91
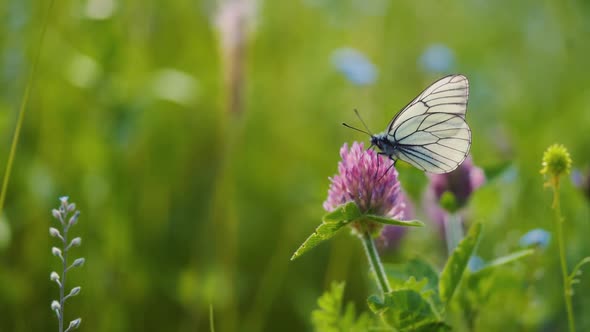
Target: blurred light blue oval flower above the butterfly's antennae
355	66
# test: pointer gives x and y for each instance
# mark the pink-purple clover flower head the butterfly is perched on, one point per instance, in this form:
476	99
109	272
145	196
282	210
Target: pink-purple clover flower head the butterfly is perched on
365	178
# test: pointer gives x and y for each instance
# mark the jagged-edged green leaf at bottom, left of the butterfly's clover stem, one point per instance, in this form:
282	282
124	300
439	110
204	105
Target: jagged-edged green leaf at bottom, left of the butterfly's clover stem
331	315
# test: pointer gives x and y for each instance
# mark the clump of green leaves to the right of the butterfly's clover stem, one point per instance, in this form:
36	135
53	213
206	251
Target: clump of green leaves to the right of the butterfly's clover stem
419	298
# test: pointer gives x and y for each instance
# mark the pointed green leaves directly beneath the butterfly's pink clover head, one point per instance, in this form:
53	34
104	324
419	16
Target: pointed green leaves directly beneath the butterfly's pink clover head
340	217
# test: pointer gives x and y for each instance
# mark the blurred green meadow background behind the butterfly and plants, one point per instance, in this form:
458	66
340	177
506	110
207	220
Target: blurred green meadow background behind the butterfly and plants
197	138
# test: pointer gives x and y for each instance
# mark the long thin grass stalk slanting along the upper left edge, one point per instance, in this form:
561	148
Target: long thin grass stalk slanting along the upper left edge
21	112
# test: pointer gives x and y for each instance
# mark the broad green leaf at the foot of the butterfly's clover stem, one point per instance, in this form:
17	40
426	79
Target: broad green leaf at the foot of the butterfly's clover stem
406	310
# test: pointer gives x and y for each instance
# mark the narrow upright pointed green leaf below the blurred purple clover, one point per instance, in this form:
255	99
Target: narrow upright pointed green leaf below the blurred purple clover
453	270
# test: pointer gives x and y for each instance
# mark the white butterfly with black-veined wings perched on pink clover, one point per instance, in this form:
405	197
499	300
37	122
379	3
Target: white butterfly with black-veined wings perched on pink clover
430	133
